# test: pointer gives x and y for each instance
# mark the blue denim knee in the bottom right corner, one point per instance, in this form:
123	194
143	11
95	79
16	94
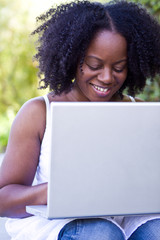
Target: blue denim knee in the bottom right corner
148	231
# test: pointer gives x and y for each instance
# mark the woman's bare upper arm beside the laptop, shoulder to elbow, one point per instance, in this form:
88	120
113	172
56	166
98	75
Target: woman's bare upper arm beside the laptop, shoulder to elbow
22	154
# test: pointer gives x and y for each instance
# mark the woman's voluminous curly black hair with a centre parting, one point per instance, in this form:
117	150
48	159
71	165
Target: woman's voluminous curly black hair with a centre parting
67	30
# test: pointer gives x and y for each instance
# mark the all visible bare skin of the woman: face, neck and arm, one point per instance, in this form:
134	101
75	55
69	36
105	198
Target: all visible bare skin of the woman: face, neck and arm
104	72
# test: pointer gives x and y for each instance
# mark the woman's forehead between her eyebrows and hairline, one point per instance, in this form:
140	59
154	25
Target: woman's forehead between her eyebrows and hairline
107	44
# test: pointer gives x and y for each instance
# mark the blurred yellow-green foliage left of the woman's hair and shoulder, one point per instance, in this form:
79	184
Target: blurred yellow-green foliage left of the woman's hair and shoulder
18	74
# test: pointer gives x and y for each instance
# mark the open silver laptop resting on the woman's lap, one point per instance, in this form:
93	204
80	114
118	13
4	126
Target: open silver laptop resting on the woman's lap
104	160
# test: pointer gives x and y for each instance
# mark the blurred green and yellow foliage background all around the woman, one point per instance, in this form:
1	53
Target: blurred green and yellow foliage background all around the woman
18	73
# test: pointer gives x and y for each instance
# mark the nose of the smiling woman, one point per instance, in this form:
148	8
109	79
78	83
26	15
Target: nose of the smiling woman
105	76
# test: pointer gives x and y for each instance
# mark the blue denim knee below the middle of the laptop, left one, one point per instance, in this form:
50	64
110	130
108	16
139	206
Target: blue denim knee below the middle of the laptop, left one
90	229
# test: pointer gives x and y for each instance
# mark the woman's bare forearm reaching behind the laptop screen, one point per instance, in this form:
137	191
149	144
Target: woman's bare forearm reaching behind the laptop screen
14	198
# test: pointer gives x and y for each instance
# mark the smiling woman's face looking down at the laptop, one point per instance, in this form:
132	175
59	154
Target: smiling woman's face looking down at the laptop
104	69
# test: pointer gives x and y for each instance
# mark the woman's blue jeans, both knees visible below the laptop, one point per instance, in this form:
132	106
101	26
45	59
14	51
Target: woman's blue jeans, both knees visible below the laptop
101	229
